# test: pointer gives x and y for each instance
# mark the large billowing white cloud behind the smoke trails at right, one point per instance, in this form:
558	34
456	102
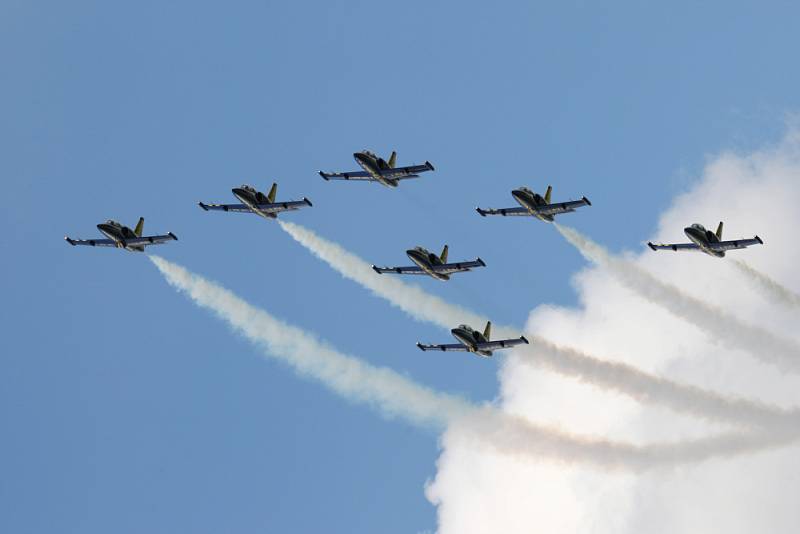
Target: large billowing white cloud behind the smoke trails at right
478	491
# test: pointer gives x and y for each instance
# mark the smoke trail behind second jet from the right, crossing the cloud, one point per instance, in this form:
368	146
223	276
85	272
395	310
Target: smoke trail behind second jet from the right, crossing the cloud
725	328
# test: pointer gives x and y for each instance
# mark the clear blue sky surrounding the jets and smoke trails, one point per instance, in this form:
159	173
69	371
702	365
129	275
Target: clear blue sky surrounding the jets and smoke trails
125	408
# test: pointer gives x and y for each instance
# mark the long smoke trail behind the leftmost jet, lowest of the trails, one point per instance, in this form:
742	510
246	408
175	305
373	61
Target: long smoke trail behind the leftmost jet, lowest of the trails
395	395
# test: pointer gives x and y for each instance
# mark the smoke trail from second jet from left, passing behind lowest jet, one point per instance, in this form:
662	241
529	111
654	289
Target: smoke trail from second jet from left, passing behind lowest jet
617	377
